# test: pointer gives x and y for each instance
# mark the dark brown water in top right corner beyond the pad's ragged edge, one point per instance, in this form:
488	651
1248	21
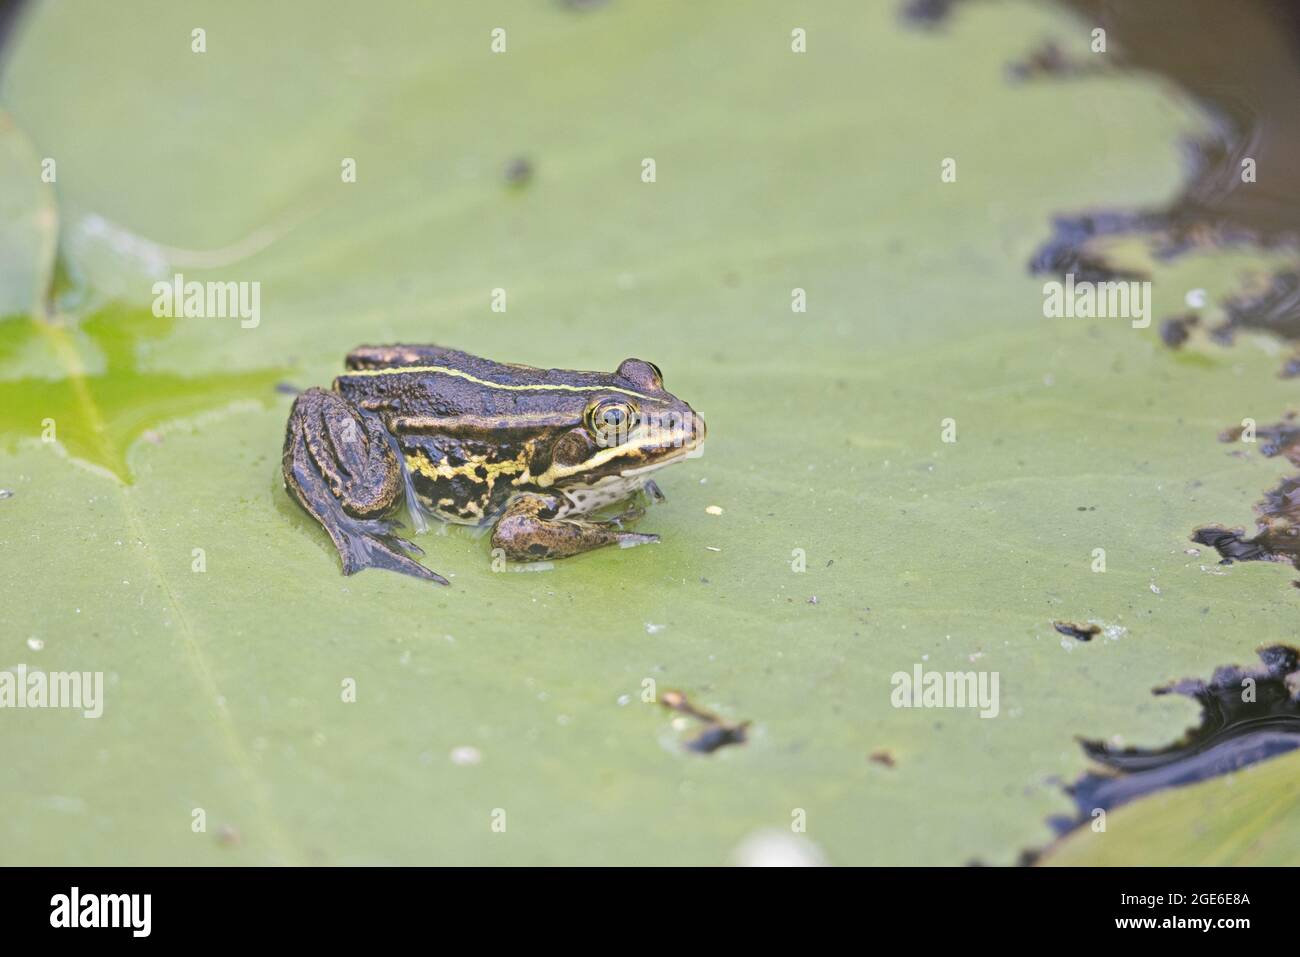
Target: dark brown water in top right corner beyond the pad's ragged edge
1242	63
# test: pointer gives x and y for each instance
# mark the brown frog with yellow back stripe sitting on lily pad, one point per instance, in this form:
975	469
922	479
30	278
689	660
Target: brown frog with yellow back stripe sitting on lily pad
445	436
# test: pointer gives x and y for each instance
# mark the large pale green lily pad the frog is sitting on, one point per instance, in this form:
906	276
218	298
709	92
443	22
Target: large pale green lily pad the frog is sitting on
775	171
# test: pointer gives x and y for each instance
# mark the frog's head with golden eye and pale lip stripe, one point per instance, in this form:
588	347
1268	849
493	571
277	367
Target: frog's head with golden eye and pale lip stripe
625	431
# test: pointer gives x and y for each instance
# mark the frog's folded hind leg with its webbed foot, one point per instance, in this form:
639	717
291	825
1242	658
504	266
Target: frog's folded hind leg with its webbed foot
343	470
